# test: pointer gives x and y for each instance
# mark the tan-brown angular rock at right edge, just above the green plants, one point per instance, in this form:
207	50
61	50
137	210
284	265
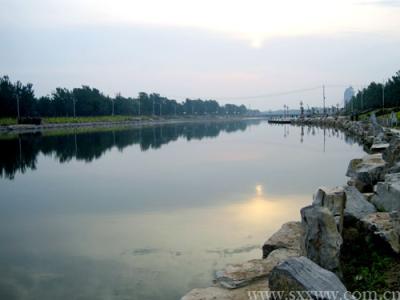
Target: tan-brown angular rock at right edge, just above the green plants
384	227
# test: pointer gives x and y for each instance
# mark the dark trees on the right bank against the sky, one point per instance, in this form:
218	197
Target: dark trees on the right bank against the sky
376	96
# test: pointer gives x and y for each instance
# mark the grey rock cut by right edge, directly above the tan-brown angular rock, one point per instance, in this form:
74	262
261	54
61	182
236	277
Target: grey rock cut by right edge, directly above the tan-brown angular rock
387	196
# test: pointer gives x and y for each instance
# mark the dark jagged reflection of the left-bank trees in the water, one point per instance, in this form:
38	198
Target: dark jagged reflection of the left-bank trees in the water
20	153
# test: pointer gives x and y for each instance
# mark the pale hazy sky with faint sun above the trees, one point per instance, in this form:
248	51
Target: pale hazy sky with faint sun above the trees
231	51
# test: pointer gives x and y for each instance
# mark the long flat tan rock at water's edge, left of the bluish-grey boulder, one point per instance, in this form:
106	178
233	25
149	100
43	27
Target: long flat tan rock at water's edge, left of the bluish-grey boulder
237	275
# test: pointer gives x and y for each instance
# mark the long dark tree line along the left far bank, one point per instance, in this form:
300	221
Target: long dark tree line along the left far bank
87	101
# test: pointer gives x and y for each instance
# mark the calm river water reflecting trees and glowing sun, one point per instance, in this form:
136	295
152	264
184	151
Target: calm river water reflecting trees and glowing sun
150	213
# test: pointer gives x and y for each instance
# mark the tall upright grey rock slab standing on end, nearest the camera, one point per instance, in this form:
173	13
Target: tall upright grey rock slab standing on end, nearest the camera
322	240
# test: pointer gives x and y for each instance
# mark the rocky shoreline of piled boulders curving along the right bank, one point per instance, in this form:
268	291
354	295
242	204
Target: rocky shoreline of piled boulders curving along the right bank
347	238
